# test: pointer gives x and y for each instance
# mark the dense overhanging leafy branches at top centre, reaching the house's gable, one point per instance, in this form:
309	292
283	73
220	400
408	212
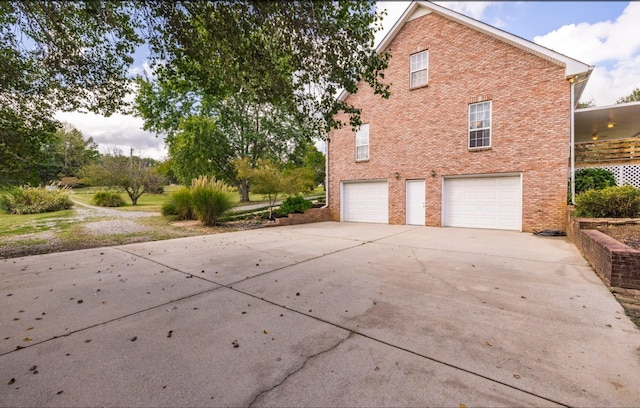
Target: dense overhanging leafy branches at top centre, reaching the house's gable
296	55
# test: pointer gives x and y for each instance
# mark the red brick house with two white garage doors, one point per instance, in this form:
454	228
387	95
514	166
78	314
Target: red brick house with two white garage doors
477	131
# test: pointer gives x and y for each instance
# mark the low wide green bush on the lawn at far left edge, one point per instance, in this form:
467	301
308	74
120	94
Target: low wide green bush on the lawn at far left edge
34	200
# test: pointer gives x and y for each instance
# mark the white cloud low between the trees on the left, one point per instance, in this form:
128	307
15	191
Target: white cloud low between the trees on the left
118	131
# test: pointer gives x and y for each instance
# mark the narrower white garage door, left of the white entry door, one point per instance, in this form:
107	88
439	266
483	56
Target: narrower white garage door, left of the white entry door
365	202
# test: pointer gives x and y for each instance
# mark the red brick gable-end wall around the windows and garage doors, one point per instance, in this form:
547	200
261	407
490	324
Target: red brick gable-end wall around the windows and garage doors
416	131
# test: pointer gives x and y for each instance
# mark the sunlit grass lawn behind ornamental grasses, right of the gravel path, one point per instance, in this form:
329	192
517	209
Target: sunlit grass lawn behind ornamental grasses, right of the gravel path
153	202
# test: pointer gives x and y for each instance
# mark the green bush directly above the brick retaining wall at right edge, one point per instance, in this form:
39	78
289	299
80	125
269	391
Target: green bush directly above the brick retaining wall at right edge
610	202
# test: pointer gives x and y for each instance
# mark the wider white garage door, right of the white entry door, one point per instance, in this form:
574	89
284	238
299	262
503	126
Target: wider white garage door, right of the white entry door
483	202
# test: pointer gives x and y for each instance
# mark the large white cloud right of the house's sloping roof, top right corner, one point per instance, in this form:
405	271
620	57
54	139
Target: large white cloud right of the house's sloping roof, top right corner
612	46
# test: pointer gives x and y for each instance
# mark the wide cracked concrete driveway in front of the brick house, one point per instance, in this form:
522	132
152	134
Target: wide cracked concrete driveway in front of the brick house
327	314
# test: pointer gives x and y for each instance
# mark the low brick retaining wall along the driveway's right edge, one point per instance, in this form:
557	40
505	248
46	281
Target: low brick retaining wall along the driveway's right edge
617	264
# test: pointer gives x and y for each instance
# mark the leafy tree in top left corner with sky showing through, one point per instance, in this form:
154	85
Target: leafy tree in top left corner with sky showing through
57	55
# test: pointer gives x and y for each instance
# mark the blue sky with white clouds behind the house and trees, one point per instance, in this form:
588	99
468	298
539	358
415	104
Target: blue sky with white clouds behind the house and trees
603	34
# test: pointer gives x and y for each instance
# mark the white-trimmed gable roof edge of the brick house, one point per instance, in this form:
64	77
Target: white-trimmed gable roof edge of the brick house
575	70
